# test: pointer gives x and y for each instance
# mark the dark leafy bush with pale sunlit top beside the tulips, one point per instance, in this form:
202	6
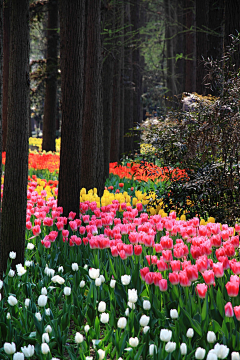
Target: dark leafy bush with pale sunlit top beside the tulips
204	142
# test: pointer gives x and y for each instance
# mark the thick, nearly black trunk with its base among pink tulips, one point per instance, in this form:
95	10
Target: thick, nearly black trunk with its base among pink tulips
72	28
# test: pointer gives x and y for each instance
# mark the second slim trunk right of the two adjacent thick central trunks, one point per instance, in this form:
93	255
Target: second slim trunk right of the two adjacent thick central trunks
116	102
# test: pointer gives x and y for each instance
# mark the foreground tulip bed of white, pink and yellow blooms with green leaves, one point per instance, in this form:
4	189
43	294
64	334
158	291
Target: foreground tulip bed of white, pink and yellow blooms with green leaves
117	283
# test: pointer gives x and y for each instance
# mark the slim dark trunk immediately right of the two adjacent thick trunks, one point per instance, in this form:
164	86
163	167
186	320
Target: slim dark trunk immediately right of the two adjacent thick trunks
107	84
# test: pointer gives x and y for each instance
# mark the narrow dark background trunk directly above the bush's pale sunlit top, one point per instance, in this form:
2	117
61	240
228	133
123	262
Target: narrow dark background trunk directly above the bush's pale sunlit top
202	41
